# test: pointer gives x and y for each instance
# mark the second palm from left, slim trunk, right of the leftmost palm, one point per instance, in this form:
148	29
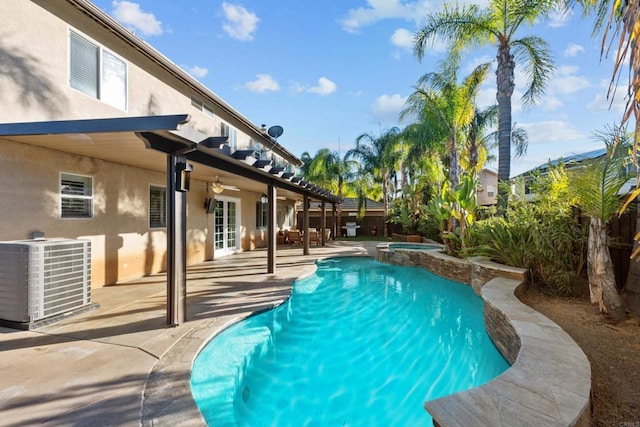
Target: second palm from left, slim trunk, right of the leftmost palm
377	156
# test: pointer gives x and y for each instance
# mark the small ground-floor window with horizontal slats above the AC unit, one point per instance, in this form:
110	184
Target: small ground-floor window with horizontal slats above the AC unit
76	196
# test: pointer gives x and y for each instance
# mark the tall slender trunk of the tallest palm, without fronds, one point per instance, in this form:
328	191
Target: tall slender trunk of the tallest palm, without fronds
506	84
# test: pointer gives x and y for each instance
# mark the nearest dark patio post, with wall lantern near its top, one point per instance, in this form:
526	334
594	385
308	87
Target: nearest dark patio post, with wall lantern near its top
177	173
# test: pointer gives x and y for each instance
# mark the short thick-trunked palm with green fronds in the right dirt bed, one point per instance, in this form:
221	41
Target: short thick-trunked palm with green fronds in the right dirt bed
597	187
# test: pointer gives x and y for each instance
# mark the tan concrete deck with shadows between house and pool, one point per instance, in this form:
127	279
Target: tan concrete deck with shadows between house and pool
121	365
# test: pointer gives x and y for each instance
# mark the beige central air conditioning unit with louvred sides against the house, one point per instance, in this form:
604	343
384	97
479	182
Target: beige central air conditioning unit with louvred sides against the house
43	278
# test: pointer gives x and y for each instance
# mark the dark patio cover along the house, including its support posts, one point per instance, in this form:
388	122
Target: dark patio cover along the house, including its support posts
162	143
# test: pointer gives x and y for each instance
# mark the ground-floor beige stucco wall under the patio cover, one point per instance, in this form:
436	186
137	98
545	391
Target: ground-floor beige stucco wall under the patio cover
123	245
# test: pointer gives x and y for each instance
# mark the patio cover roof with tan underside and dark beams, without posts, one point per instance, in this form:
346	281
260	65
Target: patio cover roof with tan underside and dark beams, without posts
144	142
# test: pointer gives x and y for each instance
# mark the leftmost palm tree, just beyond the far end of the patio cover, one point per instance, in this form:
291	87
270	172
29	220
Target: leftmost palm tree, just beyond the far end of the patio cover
330	171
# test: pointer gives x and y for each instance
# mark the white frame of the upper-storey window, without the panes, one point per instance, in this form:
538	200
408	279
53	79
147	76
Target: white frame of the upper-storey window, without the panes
100	75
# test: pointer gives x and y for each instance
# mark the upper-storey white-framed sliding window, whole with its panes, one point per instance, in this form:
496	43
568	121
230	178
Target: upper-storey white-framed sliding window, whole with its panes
97	72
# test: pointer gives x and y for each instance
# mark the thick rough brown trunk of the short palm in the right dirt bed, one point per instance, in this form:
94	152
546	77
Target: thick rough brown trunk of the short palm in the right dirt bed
602	280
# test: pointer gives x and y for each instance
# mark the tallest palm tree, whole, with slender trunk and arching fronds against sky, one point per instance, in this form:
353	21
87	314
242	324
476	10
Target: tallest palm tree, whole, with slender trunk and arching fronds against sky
471	26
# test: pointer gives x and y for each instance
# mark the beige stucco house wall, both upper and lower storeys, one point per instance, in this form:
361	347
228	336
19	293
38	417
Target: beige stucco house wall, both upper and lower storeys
34	82
